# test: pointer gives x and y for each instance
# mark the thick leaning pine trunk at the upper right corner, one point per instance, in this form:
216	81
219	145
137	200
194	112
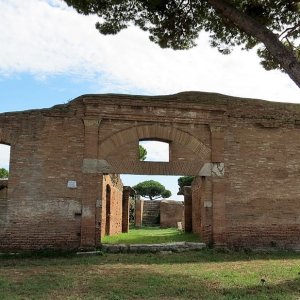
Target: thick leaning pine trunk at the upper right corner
285	57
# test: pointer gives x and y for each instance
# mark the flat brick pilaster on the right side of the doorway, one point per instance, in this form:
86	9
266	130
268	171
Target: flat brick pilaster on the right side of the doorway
218	188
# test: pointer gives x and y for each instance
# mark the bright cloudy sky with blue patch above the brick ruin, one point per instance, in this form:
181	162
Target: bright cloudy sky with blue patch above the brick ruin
49	55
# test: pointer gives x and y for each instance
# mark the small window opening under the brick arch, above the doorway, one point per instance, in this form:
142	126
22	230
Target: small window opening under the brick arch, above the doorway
154	151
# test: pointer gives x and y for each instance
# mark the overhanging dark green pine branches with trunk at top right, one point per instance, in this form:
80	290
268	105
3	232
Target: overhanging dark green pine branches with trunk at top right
271	25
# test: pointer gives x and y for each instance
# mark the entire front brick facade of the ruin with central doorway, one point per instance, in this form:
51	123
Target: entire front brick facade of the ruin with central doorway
245	154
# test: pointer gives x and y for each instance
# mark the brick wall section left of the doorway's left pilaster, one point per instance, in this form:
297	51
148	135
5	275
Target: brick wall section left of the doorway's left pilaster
46	153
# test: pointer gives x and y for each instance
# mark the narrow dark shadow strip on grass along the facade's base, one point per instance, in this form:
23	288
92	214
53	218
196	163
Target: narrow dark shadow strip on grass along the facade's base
200	256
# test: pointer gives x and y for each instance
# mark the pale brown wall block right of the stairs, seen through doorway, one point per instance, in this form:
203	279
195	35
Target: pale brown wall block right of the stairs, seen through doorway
171	212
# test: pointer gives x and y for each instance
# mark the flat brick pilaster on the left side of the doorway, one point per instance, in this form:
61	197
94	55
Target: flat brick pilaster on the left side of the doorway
92	183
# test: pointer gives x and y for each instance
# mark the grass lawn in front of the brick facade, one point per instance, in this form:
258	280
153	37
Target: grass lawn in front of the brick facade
205	274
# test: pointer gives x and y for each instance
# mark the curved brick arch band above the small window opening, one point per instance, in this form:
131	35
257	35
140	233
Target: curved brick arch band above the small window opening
156	132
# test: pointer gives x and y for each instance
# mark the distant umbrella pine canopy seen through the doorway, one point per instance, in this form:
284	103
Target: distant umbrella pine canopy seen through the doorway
152	190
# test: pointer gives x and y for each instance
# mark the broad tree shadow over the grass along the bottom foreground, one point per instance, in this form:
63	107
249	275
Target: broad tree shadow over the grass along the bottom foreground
123	282
